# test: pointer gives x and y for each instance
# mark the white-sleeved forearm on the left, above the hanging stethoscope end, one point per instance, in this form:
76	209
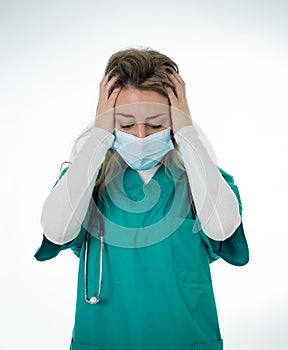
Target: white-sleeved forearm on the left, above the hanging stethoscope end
66	205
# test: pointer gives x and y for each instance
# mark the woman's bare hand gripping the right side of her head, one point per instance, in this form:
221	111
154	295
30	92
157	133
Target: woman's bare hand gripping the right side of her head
180	114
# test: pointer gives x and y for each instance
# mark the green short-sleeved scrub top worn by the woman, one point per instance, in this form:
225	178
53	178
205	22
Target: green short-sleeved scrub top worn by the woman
157	291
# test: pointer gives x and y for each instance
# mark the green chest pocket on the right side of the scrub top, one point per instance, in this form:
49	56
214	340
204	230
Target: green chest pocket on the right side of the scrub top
190	256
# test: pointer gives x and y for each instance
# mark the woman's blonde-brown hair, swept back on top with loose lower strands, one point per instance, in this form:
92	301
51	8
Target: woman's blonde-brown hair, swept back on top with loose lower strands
143	69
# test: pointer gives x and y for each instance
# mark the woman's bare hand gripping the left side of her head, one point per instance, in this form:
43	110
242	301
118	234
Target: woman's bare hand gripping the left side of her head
105	107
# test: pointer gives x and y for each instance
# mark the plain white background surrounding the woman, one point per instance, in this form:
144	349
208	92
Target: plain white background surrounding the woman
233	56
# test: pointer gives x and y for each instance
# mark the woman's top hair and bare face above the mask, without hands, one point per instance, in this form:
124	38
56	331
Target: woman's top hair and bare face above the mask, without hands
142	106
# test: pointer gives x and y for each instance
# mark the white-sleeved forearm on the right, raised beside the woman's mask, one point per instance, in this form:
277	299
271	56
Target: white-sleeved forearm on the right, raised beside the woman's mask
216	204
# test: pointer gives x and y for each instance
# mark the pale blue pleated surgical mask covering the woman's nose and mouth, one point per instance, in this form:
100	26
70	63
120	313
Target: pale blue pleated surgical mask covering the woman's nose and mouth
142	153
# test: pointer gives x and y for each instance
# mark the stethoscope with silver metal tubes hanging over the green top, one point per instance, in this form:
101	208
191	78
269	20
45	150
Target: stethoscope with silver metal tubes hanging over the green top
94	299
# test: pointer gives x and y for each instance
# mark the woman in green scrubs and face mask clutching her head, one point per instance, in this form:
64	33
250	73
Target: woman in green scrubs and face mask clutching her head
146	209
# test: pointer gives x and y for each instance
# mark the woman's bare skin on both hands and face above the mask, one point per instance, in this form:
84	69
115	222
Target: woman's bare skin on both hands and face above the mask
113	111
